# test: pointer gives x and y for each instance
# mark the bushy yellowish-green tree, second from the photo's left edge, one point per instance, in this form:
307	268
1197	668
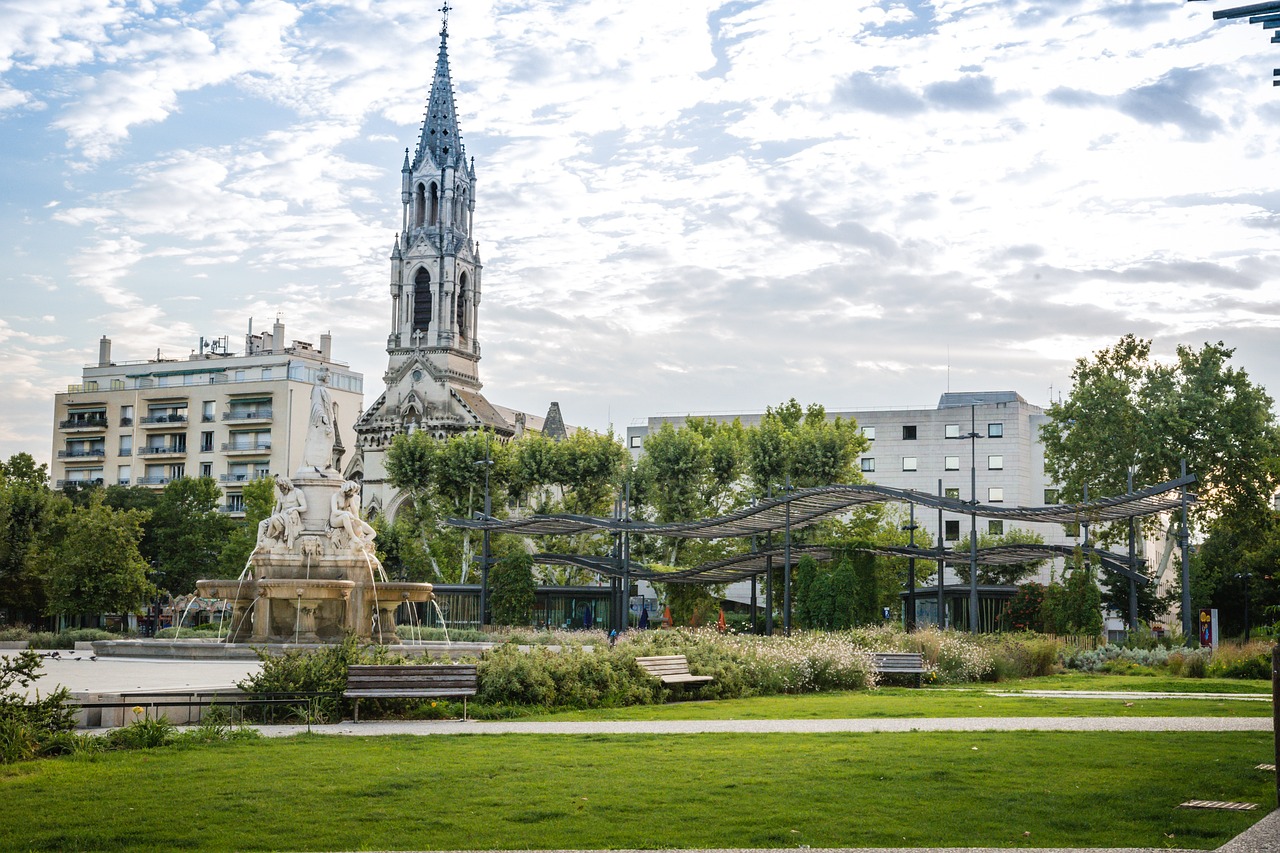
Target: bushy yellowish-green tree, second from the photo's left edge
90	560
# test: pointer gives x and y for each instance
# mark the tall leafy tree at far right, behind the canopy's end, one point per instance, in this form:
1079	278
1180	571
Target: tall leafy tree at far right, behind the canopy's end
1128	409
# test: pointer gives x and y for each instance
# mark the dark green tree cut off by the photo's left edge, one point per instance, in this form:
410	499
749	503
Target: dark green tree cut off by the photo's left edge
25	503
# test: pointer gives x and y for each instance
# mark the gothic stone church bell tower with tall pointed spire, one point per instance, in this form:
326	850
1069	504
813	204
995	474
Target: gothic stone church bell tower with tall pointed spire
433	377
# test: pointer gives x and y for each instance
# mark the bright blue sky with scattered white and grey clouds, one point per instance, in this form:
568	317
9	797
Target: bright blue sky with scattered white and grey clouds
682	206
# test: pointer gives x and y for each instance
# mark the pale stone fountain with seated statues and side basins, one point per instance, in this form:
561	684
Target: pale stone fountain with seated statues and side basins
314	576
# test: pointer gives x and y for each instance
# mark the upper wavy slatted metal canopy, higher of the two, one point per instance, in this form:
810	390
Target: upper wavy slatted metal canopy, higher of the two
808	507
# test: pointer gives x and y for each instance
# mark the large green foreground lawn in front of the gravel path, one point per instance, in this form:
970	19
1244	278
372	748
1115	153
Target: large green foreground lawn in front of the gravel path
542	792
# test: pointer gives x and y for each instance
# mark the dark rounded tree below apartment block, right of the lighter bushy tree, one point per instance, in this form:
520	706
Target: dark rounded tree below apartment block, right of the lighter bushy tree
189	533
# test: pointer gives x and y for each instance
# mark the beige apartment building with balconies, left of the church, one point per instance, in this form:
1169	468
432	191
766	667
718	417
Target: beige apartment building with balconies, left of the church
235	417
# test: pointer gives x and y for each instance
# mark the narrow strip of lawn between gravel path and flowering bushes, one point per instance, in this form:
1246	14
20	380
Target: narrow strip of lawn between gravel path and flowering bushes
930	703
